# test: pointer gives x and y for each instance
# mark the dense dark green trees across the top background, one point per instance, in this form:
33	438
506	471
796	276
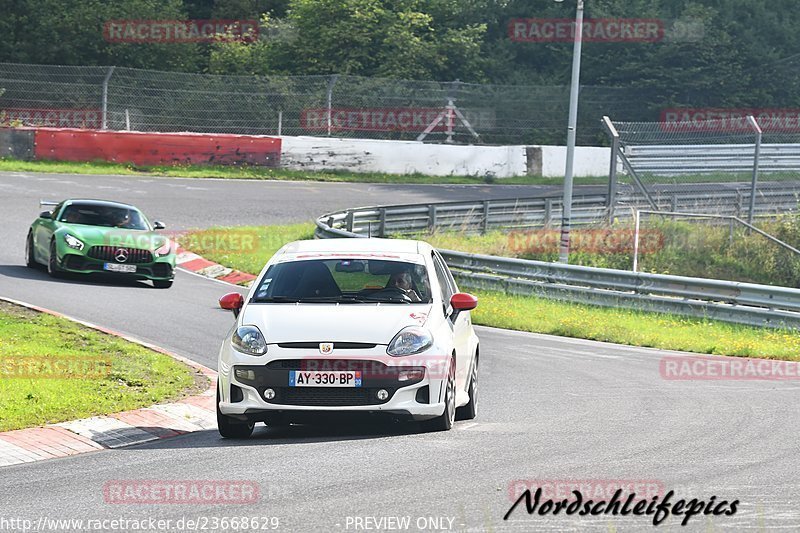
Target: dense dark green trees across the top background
733	53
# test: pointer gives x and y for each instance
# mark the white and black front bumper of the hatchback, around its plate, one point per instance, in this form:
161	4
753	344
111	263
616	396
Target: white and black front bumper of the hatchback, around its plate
243	380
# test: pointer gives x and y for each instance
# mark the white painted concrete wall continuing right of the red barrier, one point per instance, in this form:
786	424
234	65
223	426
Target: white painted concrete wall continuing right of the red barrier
406	157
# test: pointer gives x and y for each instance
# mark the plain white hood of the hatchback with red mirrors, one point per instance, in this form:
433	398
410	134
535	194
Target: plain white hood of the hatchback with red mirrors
368	323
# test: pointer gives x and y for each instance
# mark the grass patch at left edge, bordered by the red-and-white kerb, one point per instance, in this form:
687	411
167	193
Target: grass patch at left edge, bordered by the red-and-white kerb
121	376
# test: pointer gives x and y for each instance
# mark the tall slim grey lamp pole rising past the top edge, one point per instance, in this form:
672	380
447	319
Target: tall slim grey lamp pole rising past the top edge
566	216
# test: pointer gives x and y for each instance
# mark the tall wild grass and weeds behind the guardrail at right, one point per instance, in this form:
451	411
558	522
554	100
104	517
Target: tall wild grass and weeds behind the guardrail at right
695	249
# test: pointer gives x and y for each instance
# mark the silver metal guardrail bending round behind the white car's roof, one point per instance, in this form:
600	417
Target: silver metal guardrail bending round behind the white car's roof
743	303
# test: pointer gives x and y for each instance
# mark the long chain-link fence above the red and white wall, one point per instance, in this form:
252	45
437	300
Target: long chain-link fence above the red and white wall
341	106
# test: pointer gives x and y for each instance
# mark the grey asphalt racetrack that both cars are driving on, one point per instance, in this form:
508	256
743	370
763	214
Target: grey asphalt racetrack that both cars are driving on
550	408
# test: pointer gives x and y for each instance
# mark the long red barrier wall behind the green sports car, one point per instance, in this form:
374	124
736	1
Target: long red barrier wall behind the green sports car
156	148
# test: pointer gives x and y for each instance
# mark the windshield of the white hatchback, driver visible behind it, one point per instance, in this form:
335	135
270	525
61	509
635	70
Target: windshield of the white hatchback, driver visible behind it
344	280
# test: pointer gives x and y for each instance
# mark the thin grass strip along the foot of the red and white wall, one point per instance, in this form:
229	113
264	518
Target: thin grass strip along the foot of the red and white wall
262	173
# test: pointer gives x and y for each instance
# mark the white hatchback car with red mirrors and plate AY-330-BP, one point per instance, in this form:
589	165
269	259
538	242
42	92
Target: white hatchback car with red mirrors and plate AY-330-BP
349	326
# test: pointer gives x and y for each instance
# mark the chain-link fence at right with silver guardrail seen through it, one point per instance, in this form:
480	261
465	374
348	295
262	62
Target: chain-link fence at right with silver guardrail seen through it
741	165
